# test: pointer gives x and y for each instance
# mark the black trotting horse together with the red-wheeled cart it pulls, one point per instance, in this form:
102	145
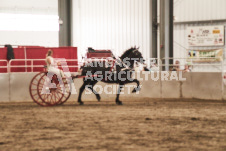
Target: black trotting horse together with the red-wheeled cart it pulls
48	90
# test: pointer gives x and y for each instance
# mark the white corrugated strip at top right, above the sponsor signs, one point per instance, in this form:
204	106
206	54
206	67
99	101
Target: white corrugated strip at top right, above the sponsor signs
196	10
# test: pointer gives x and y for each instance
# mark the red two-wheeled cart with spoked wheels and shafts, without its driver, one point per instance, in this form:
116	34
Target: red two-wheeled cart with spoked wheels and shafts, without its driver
56	95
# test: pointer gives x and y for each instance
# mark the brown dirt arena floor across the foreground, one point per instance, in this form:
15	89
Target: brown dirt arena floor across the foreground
137	125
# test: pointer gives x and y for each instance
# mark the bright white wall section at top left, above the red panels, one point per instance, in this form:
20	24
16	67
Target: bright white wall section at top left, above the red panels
29	37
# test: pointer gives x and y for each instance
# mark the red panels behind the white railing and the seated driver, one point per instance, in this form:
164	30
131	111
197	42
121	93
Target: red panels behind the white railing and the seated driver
34	53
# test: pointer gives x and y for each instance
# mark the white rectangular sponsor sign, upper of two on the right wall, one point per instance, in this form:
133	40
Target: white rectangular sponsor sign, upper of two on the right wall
206	36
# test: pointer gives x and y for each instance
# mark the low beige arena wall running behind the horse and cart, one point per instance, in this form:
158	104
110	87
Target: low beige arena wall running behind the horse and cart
207	86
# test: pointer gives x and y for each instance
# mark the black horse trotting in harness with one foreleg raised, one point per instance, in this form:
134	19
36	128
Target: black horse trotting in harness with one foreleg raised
120	72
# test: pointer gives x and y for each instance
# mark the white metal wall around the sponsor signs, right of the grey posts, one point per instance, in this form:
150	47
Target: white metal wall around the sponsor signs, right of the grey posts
193	11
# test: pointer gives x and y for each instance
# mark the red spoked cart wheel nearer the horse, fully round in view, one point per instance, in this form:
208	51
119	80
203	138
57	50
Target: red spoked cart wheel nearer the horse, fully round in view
54	95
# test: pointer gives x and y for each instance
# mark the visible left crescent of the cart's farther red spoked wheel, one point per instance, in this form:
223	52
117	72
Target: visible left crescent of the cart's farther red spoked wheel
33	88
